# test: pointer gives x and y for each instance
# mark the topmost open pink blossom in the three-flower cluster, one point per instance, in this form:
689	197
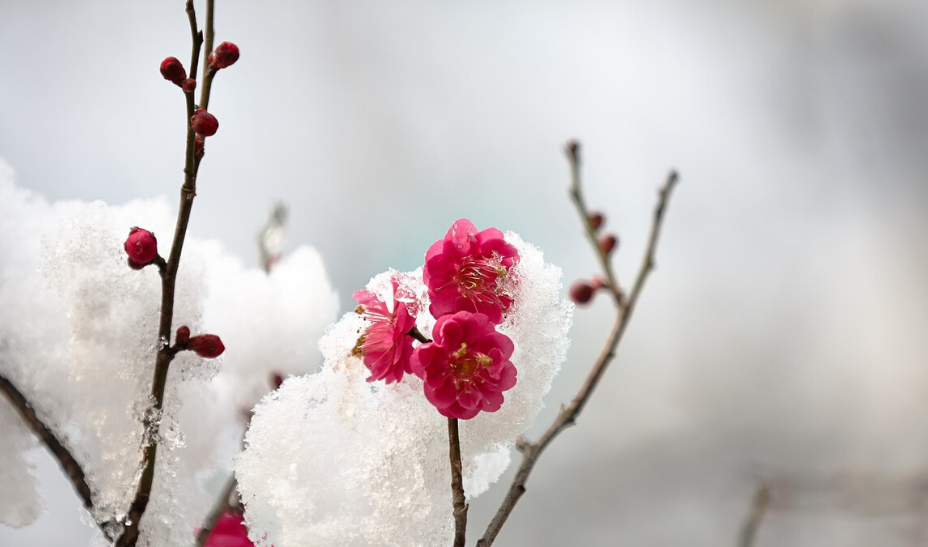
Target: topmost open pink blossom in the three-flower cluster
464	271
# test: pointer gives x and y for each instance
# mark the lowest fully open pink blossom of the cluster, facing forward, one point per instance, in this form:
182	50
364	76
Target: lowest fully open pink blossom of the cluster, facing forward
467	368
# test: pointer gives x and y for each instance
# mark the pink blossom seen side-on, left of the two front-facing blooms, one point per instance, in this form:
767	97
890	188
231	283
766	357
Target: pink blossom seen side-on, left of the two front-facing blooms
384	346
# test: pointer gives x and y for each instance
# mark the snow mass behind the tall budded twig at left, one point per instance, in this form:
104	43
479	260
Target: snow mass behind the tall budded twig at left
78	335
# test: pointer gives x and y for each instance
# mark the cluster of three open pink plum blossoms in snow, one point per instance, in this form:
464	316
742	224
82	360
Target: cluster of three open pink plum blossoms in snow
466	368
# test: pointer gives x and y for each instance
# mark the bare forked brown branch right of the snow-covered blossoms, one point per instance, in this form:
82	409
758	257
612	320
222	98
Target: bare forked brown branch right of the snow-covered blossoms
567	416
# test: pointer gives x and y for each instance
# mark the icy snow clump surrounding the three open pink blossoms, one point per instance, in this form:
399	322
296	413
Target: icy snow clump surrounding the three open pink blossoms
331	459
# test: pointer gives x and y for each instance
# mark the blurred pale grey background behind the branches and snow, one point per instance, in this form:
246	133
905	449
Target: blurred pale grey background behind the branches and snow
783	338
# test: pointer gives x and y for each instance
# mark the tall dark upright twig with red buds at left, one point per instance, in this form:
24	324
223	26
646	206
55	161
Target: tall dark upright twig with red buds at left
165	355
